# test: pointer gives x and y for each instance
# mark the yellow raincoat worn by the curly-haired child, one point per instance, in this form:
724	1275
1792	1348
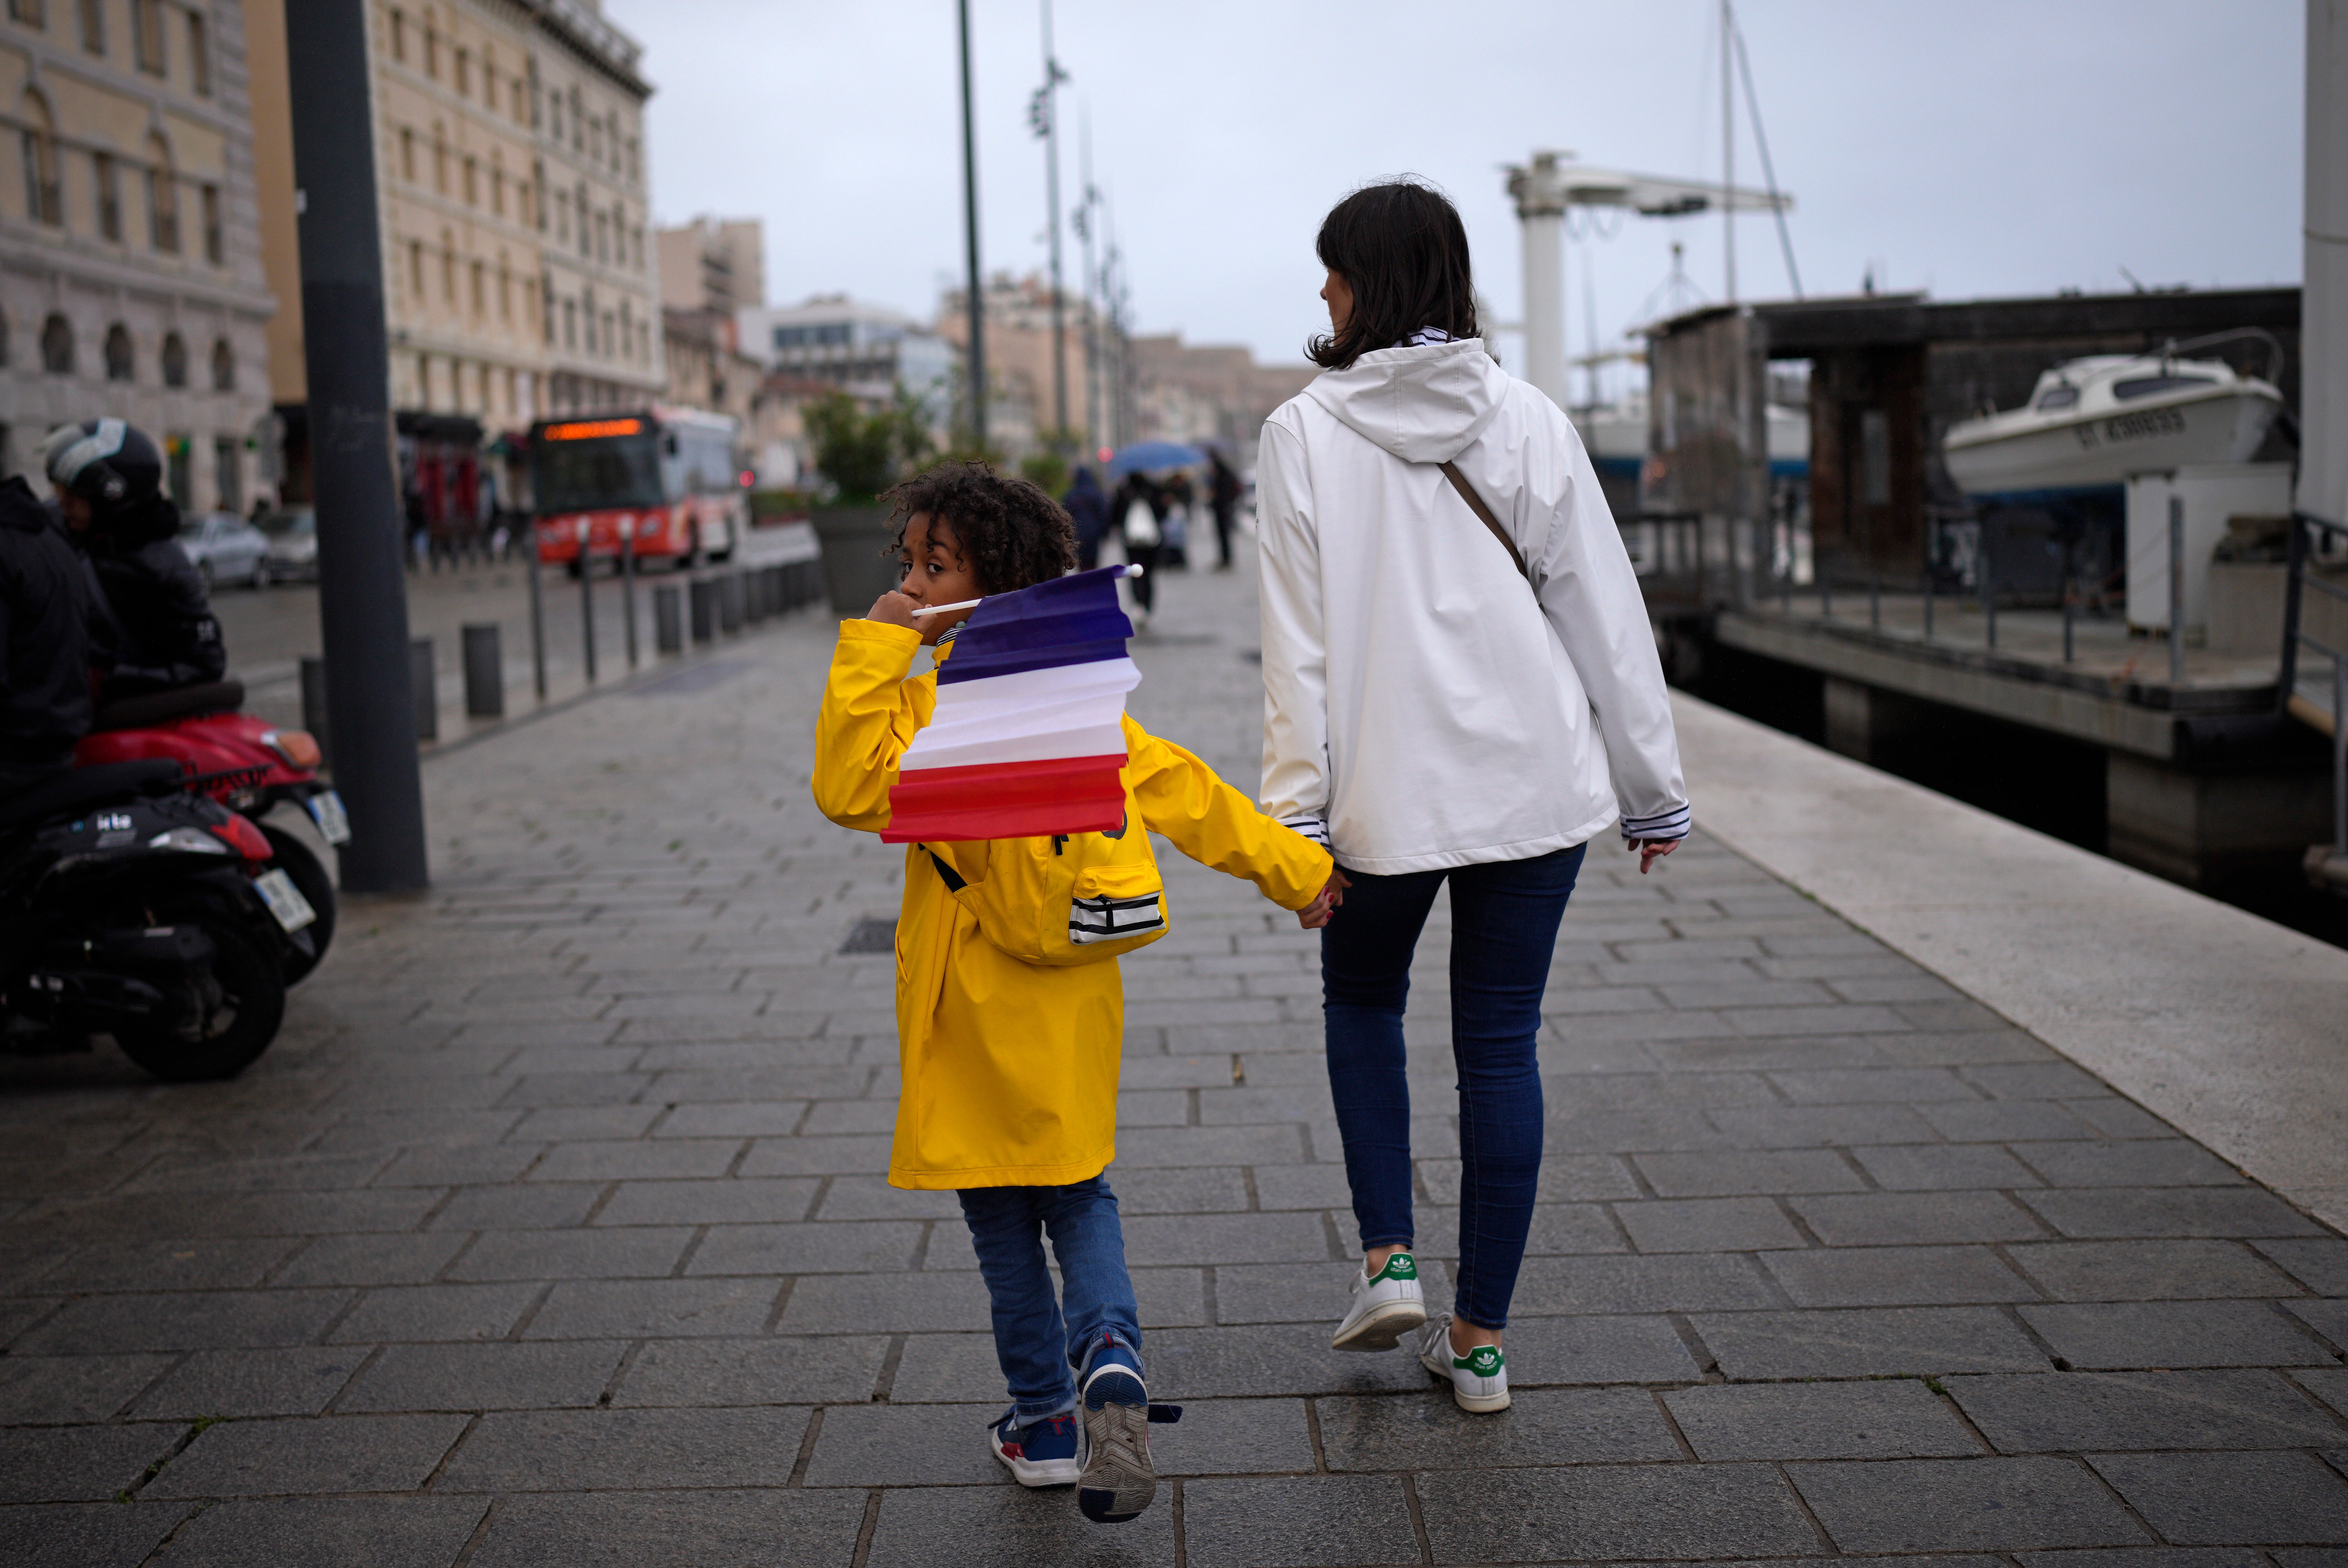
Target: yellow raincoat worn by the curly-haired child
1011	1069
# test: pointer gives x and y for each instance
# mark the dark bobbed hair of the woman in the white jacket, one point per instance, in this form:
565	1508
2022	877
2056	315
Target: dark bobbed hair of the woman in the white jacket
1403	250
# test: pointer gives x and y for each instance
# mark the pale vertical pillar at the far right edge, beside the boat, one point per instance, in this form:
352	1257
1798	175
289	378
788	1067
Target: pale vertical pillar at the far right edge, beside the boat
2323	325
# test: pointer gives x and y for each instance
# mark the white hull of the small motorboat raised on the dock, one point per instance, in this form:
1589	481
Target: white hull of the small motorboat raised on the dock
2110	447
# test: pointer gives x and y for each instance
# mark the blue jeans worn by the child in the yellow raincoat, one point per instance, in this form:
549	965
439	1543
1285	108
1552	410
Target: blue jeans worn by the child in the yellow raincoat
1034	1344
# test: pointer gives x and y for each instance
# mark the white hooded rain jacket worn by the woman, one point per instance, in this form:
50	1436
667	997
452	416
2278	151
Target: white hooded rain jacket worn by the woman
1419	708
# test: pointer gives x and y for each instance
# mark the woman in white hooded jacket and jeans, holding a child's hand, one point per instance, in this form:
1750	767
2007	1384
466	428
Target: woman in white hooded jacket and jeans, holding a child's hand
1448	698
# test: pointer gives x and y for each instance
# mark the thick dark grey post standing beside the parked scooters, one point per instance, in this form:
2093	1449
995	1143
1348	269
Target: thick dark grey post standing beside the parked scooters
360	581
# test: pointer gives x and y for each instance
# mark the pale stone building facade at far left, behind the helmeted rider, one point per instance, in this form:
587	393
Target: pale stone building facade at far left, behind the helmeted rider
130	278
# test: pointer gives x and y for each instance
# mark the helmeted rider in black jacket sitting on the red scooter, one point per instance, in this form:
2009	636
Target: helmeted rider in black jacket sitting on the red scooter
156	628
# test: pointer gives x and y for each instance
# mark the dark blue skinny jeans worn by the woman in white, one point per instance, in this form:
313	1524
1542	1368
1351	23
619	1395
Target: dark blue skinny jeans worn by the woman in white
1504	931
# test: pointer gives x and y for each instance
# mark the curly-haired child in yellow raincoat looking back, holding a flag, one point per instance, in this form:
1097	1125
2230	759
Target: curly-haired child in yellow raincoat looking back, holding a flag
1011	1067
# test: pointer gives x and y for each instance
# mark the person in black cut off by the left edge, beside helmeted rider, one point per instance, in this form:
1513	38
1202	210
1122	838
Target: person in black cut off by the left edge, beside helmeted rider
43	642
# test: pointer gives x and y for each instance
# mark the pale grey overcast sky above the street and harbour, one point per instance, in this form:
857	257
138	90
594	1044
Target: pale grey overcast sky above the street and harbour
1969	149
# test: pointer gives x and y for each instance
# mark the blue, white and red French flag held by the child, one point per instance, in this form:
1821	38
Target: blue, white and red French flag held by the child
1030	729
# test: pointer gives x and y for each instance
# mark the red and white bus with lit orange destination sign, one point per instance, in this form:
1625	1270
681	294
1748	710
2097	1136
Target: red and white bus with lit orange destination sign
663	478
